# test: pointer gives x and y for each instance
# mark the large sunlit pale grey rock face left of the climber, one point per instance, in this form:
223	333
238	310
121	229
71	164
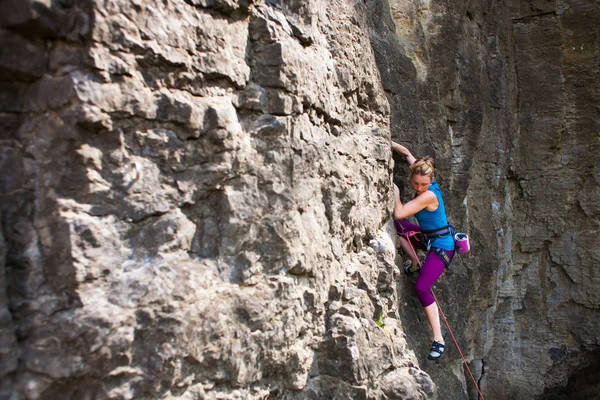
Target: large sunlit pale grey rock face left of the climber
190	195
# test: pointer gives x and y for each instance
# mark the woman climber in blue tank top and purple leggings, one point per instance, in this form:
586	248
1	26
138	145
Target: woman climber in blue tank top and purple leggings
435	234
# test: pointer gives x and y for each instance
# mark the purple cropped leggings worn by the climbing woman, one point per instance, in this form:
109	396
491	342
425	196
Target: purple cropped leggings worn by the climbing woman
432	268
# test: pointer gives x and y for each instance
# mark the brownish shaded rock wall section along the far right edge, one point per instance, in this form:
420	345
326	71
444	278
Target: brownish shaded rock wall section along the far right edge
548	297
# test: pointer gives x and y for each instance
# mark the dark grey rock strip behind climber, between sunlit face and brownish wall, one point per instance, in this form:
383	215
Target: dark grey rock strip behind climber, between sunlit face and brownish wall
449	74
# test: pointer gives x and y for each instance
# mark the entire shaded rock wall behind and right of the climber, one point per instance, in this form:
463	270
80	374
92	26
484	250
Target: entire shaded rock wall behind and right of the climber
506	97
